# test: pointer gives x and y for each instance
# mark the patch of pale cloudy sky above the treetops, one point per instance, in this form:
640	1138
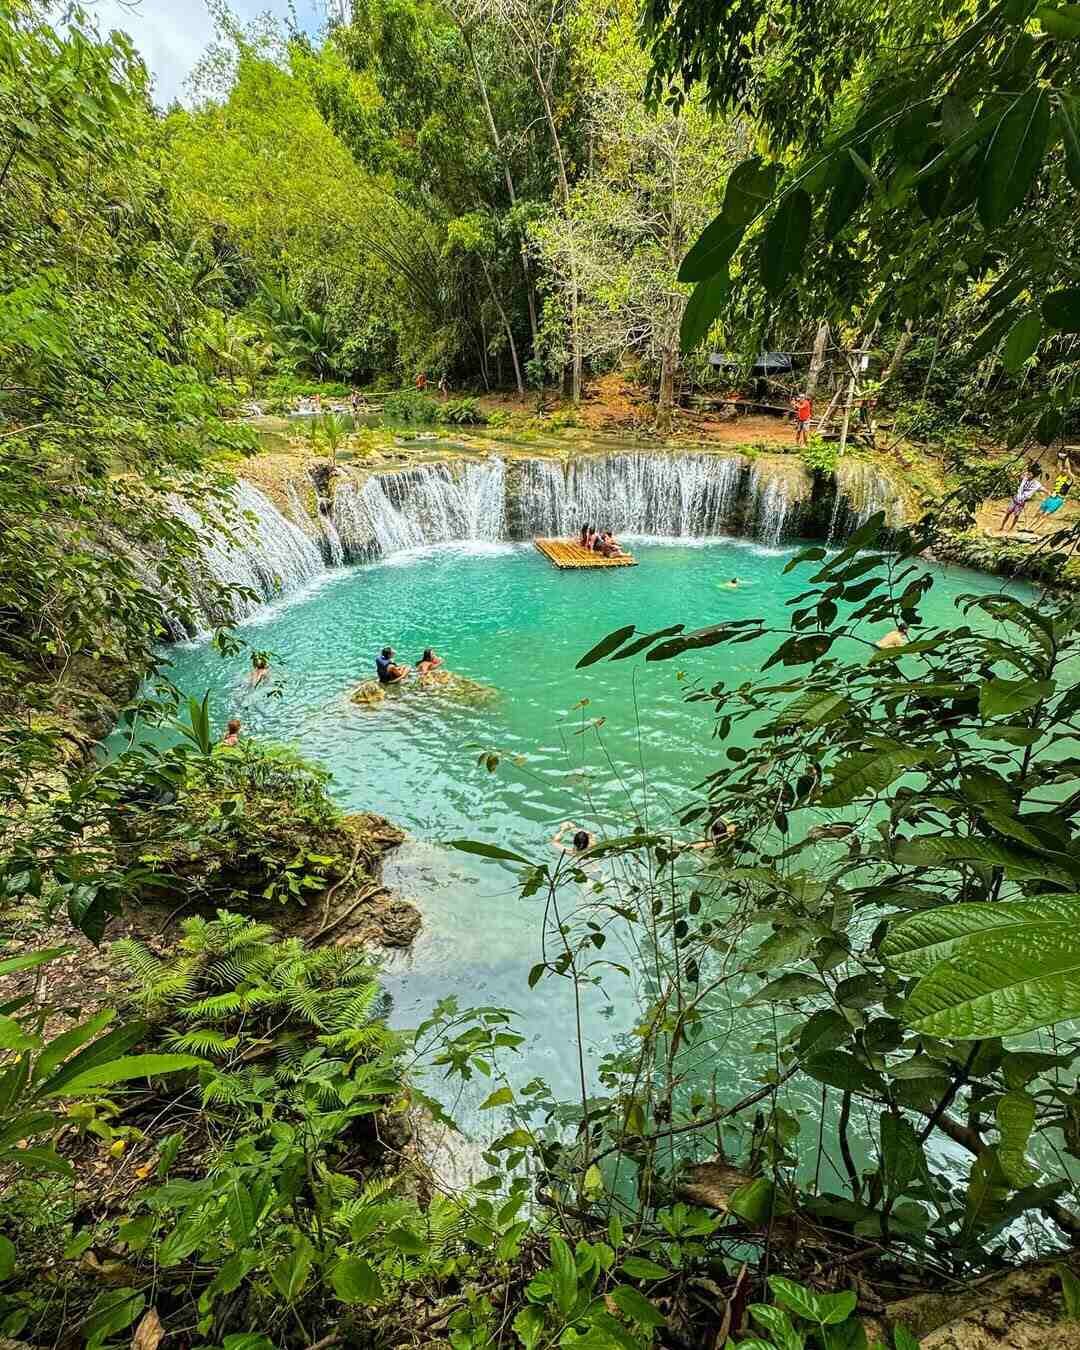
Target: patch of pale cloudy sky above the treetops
173	34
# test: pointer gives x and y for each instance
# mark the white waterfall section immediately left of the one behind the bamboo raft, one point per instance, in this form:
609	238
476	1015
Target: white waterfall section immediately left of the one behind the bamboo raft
426	506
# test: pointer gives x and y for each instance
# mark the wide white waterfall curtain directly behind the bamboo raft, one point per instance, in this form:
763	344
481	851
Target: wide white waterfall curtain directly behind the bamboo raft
668	496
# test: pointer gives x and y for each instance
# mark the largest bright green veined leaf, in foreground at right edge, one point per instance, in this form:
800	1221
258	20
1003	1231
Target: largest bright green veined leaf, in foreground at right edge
1012	969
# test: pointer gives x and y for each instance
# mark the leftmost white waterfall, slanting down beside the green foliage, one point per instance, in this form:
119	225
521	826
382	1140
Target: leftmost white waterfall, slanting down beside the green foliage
259	550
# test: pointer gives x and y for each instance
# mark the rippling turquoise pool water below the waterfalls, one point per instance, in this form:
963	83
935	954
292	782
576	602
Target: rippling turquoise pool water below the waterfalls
502	615
